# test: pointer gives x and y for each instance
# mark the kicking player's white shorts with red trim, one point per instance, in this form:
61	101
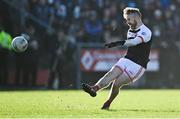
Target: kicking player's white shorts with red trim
129	68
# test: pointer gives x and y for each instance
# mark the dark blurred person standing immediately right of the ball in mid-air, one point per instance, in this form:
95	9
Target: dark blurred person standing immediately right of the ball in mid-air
31	58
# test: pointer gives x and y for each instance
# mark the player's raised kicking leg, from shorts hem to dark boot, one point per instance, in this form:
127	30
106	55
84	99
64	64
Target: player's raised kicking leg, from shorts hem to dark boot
103	82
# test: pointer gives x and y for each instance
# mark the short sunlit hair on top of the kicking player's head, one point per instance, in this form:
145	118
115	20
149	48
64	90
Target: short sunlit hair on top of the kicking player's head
131	10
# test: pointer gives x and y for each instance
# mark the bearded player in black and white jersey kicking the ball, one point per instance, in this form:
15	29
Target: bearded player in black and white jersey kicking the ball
132	66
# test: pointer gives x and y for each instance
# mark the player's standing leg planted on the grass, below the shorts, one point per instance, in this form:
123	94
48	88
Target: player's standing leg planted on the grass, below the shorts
117	84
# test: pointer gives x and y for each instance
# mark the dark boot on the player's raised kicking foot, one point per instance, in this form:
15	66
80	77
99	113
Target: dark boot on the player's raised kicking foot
87	88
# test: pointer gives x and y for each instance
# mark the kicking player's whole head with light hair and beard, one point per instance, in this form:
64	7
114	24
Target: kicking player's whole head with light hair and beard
132	16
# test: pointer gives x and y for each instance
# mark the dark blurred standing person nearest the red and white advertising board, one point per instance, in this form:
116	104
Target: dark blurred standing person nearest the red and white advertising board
57	61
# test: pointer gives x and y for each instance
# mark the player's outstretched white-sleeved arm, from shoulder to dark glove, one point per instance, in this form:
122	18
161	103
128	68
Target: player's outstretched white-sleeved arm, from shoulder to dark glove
142	38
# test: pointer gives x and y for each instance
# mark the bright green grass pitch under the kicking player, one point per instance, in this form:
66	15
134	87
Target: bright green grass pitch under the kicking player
77	104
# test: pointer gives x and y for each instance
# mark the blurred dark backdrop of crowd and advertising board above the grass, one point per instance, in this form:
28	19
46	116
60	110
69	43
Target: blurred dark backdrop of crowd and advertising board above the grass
67	38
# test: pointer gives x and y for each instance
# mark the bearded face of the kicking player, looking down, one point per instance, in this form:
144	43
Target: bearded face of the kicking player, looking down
131	21
